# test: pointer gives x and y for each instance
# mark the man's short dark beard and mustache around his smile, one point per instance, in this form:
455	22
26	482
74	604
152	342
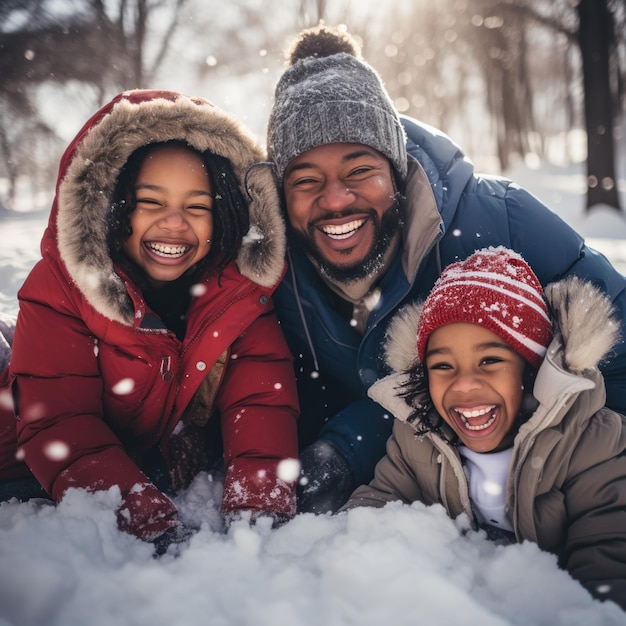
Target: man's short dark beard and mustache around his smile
385	230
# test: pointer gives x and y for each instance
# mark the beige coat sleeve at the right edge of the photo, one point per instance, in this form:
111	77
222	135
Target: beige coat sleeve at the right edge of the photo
595	500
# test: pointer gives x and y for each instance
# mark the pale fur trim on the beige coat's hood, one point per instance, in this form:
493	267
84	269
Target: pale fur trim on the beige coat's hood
585	330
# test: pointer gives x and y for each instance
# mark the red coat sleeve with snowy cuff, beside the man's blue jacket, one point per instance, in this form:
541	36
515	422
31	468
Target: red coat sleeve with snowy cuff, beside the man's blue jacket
258	405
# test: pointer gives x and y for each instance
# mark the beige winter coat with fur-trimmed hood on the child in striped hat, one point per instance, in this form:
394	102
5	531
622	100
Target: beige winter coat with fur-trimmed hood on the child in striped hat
566	487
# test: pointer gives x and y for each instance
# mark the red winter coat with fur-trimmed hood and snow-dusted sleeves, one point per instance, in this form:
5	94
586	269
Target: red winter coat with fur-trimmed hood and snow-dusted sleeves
96	384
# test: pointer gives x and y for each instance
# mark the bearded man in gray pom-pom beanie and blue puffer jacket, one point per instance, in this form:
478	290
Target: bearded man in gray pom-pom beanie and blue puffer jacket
377	206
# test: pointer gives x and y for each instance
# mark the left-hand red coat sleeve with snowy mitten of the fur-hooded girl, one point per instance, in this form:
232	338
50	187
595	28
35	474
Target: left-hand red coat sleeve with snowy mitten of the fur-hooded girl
60	430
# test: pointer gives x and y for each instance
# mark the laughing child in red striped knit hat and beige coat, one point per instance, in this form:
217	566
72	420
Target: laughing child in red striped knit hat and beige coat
500	414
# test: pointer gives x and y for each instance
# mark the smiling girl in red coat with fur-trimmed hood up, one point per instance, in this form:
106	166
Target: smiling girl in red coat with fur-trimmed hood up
146	341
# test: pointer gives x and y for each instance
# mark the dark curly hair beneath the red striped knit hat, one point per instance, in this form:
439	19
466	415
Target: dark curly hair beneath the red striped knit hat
425	417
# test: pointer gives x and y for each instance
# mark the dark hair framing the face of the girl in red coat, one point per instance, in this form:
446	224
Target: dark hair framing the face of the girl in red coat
231	218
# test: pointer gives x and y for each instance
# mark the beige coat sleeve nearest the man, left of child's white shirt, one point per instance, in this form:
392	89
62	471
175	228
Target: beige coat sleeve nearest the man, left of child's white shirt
395	477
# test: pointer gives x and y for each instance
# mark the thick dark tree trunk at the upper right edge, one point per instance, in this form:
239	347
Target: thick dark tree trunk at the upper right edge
595	34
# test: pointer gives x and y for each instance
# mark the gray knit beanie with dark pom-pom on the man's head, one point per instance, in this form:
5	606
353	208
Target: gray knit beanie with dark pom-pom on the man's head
329	94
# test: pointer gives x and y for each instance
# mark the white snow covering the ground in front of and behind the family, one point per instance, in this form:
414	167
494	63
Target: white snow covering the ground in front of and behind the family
69	565
